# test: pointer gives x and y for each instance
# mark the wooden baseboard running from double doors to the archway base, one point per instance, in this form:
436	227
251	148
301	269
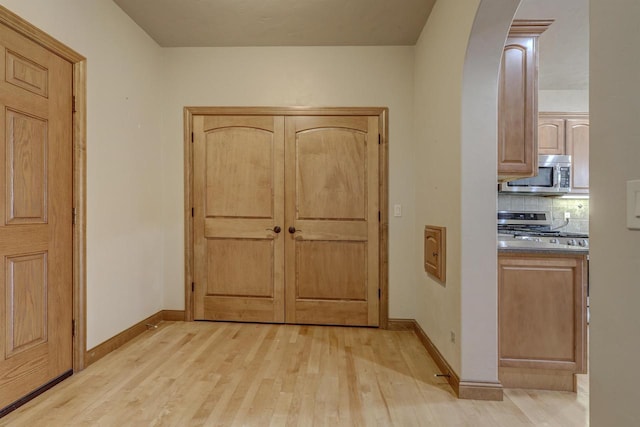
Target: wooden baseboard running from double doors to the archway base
462	389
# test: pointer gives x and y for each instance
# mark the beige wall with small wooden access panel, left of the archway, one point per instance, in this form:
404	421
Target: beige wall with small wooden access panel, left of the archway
440	55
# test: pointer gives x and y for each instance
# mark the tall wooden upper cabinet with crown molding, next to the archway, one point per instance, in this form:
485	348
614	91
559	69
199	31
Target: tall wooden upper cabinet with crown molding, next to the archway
518	101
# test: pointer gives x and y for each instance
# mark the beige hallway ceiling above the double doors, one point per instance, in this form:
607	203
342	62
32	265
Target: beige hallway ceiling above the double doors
174	23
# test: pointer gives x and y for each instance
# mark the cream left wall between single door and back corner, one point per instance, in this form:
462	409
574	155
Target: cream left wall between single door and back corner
124	221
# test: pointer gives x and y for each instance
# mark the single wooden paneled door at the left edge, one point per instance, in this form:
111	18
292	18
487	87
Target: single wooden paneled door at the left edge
35	217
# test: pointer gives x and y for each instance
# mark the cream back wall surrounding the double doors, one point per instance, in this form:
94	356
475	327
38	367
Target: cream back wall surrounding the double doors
294	76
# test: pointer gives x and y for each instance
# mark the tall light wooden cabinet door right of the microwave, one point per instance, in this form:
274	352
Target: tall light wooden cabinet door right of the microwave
578	148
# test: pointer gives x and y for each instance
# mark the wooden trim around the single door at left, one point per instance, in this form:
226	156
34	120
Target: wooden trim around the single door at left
79	62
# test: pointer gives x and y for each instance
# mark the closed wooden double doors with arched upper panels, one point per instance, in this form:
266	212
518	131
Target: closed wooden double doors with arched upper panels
286	213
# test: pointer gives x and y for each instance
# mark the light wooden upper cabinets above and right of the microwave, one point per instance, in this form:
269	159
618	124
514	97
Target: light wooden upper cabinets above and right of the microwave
567	133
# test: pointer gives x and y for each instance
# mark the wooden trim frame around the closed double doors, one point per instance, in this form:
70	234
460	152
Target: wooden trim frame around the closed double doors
383	117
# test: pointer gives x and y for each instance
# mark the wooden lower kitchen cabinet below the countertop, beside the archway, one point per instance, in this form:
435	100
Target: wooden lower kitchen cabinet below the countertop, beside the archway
542	319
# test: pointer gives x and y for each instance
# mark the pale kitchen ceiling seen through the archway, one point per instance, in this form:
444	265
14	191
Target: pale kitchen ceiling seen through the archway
564	47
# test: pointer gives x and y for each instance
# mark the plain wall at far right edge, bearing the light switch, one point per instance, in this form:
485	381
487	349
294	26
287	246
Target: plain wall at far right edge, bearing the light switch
615	250
